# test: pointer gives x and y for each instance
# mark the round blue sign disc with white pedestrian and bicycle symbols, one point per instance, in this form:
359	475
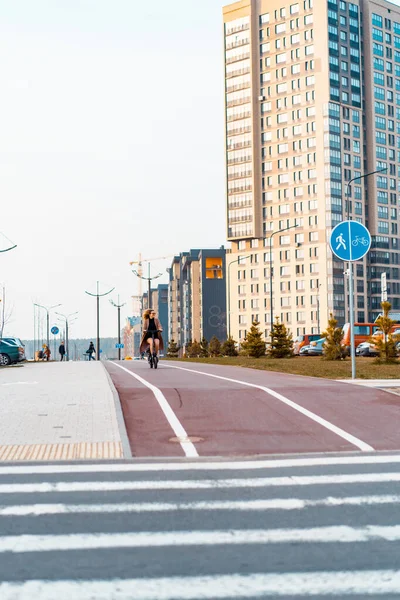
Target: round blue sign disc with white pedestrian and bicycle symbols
350	240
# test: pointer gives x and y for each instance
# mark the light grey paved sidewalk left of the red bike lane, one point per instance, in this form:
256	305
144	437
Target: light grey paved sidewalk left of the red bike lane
60	411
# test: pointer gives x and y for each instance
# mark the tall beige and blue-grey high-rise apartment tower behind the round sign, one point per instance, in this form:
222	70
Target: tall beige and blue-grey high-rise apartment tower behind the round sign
312	90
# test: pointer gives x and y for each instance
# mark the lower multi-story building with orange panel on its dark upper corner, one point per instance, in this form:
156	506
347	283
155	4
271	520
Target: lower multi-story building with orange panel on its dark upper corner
197	296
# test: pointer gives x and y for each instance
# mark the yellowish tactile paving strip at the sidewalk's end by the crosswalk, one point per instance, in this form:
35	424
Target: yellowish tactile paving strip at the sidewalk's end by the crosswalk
78	451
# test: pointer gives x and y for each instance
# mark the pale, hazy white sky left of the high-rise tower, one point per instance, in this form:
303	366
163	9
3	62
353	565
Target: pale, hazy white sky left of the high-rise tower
111	144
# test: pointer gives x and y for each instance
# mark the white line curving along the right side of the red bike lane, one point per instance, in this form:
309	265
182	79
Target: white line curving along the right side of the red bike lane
304	411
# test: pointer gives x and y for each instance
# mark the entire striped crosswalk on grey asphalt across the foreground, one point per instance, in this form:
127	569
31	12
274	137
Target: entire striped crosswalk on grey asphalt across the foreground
319	527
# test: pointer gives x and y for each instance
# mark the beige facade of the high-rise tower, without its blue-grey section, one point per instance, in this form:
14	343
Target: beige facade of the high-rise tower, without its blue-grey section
289	84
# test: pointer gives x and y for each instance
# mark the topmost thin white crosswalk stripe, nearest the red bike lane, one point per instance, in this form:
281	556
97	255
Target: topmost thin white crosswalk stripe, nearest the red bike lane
204	465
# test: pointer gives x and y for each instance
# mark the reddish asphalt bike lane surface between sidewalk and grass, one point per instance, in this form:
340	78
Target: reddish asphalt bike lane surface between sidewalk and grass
232	419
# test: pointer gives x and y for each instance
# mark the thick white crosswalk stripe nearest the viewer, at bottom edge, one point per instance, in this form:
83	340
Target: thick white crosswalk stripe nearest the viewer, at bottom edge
254	585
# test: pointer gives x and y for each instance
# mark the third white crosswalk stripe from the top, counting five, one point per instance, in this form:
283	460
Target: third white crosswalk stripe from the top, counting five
25	510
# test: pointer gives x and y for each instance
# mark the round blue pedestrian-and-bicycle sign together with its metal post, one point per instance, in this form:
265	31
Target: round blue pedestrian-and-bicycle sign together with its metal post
350	241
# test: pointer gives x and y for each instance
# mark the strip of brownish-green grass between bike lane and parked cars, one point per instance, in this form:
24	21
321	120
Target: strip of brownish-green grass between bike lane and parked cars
314	366
